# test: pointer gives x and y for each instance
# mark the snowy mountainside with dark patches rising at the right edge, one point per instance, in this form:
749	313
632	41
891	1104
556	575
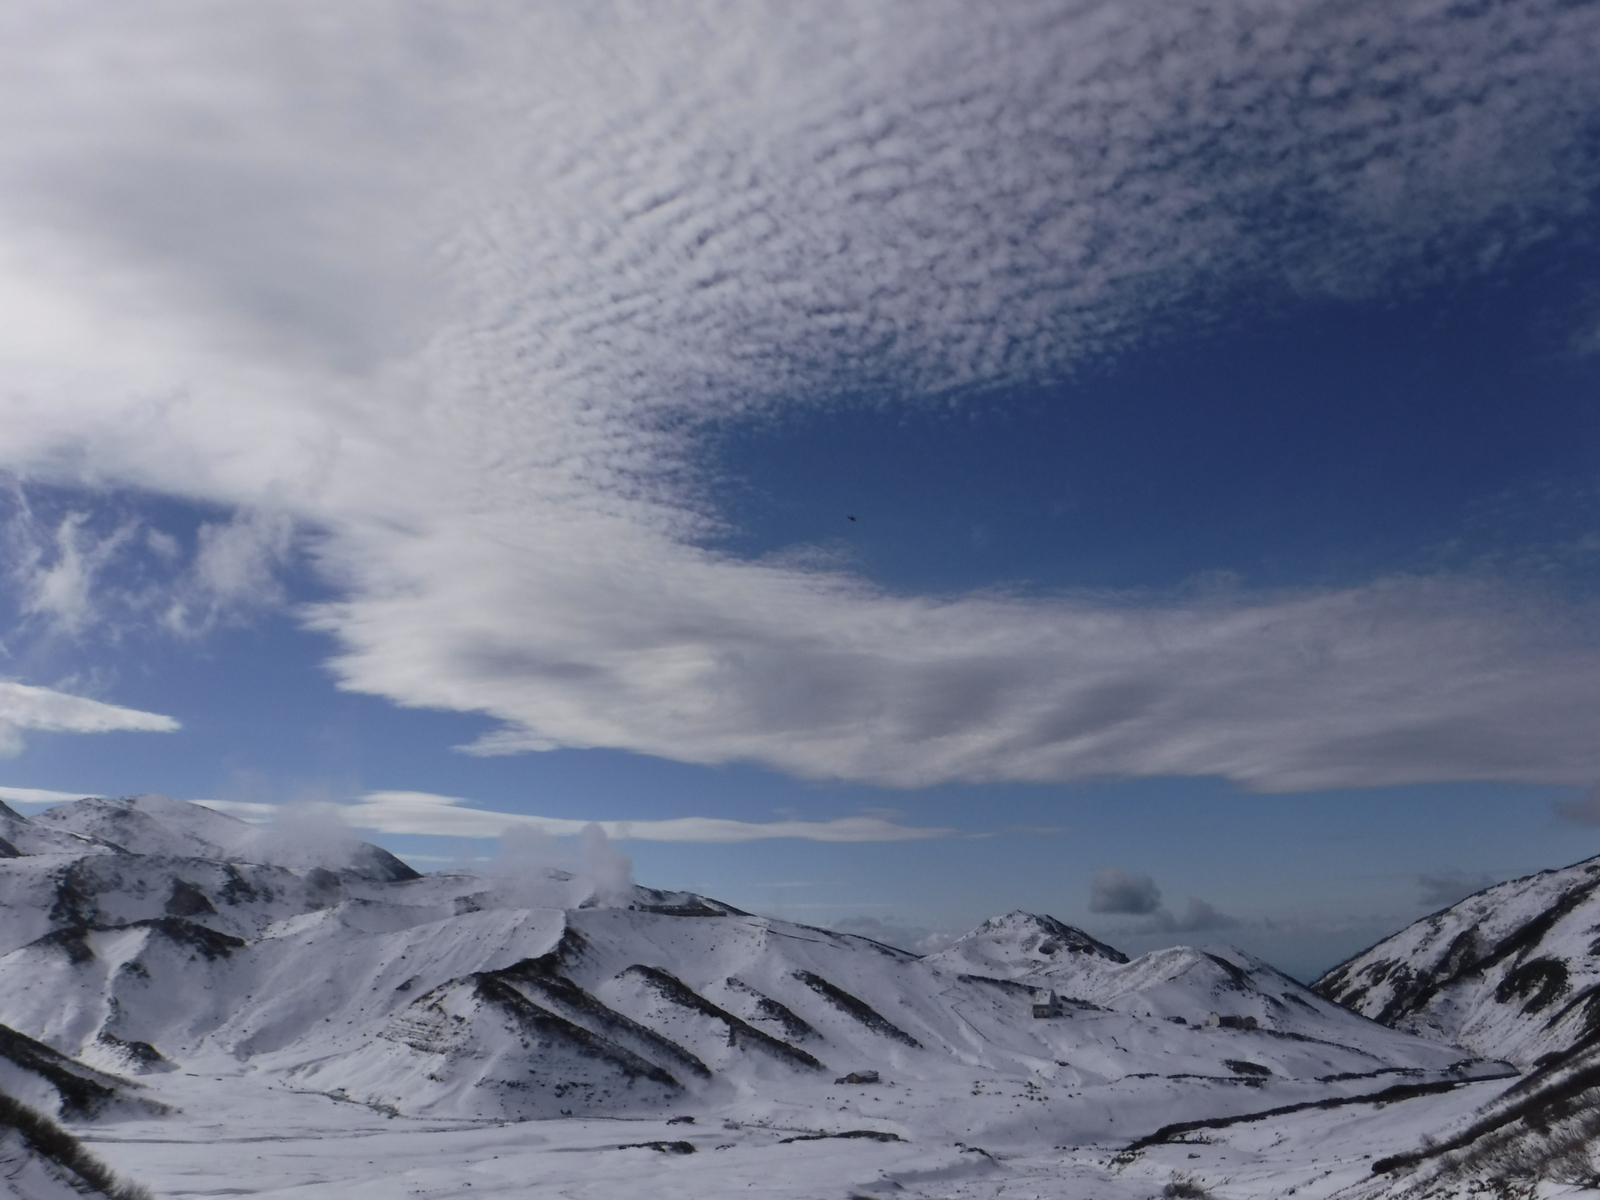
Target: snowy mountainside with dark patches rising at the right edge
1511	972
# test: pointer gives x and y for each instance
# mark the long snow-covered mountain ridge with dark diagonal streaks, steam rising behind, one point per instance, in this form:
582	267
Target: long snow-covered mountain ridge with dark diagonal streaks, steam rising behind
148	935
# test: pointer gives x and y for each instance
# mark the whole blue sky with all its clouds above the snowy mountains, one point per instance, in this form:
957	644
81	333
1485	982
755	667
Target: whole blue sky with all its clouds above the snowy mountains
887	463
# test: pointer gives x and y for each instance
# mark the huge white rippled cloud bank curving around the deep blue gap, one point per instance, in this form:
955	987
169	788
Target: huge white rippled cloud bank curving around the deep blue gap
455	289
